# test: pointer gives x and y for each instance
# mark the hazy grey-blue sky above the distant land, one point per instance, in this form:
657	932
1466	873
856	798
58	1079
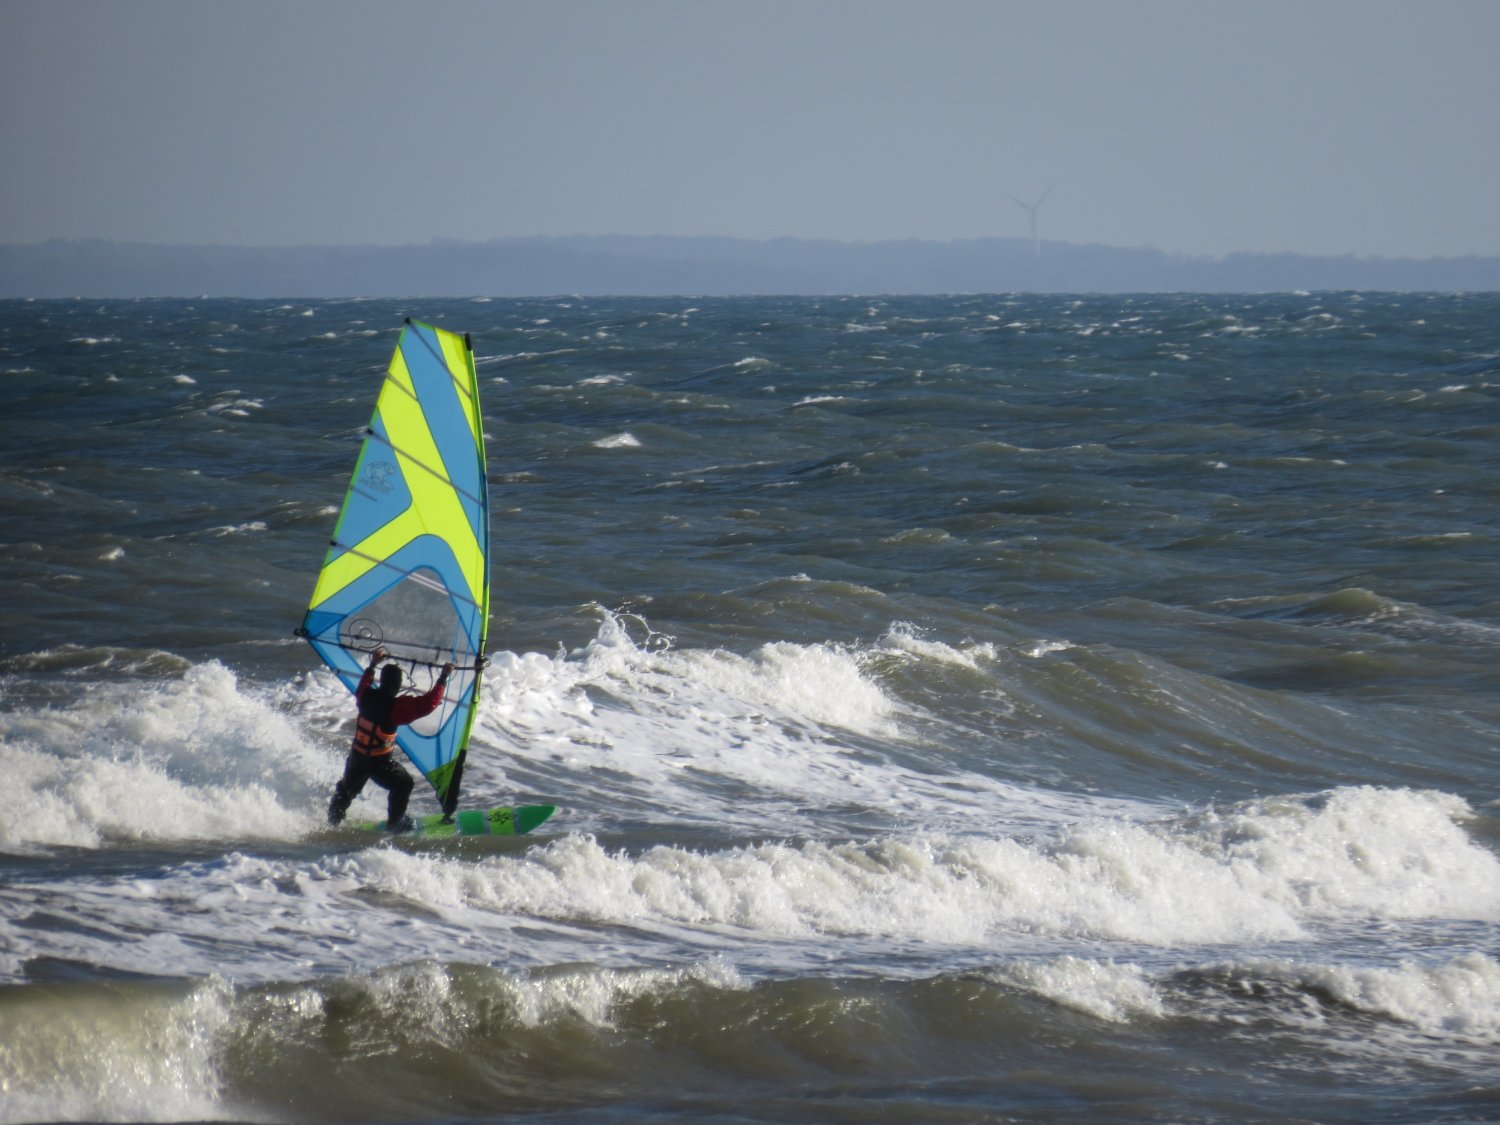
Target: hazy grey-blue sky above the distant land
1198	127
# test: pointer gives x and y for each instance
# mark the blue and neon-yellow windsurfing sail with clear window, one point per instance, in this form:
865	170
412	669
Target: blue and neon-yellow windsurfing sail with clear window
409	565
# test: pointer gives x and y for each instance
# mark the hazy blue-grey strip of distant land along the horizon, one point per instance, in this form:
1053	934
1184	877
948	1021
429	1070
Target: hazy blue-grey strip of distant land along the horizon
628	266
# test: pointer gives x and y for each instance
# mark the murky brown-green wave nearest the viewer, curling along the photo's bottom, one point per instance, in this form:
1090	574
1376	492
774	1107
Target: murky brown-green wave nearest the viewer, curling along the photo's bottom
485	1039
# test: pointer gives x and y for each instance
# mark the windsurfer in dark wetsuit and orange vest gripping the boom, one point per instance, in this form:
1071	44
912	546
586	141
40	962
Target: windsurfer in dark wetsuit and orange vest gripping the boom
373	755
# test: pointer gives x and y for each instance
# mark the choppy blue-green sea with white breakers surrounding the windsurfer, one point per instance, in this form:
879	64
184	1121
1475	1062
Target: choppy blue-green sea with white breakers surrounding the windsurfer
979	709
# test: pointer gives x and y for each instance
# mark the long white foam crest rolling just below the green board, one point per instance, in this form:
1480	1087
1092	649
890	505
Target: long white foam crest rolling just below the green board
1165	886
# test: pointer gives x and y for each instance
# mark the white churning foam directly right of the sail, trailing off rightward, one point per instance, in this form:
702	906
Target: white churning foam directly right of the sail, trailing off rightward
689	730
